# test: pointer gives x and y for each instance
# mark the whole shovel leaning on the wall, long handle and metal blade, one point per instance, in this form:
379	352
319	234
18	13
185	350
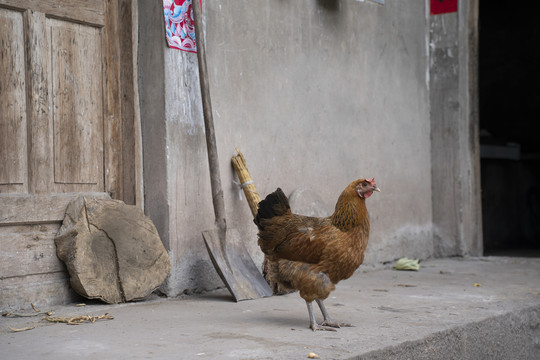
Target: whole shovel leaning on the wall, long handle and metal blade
227	251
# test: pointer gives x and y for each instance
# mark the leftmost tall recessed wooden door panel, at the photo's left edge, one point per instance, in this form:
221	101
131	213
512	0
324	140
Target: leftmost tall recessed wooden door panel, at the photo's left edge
13	166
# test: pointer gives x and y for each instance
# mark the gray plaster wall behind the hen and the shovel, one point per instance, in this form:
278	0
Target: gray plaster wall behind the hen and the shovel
315	94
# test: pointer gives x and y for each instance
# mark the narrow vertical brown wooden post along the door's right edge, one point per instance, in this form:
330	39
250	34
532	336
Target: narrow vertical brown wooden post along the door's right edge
112	104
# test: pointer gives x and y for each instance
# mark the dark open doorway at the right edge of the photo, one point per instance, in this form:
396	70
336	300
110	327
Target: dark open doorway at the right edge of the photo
509	83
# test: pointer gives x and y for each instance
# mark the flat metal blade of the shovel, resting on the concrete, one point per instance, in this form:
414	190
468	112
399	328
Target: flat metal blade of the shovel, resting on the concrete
235	266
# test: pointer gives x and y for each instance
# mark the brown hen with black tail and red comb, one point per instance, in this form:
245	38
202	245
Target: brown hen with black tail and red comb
313	254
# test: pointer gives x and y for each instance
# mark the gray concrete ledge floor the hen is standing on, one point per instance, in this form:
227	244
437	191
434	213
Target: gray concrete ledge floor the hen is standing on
435	313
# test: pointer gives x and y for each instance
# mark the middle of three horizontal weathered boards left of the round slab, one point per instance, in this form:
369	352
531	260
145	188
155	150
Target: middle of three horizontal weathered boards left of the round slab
28	249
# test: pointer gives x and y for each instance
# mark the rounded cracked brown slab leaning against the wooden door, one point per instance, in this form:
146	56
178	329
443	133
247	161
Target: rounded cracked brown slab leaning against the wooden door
112	250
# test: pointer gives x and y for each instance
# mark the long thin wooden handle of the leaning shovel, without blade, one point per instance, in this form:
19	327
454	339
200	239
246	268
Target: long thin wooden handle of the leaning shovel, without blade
213	161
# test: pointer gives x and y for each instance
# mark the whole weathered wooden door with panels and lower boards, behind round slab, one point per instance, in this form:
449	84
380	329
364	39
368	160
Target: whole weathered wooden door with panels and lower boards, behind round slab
60	132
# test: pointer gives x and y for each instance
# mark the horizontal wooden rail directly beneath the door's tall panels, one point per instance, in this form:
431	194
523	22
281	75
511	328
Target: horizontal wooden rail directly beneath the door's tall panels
29	209
